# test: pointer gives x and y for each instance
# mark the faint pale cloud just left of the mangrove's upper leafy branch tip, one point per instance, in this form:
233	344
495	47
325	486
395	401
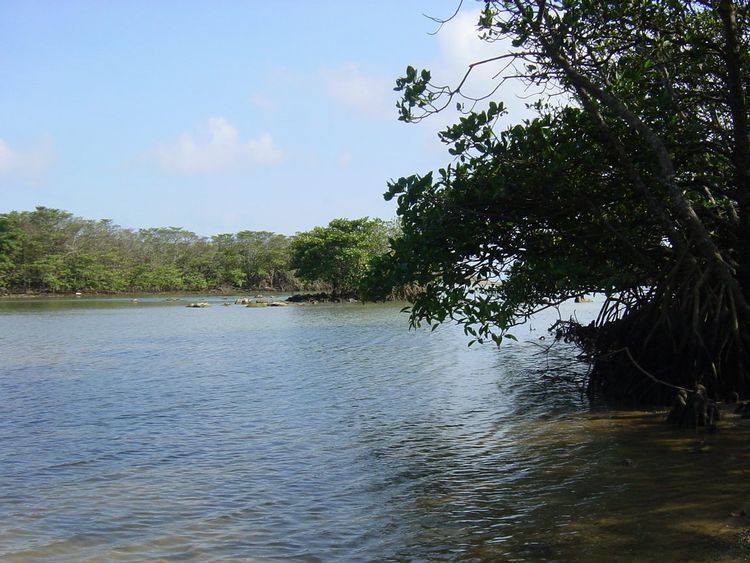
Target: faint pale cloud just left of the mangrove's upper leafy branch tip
368	94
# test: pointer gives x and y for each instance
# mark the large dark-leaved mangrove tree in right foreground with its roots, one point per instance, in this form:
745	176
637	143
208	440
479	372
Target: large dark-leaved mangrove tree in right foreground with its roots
633	180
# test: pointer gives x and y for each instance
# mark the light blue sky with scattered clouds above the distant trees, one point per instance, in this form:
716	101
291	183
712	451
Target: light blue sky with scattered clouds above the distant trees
218	116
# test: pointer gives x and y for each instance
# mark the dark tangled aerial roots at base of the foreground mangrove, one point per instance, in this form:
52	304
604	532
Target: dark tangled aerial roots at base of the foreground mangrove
685	334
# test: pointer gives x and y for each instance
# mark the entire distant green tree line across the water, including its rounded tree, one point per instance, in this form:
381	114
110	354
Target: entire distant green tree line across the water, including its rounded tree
52	251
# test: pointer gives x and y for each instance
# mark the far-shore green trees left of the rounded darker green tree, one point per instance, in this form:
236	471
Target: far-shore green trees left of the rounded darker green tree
50	250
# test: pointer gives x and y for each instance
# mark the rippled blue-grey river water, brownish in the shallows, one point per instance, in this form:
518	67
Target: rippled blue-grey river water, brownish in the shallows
147	430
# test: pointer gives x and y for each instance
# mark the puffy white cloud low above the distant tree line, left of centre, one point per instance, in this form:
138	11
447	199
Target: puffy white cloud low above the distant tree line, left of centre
216	147
